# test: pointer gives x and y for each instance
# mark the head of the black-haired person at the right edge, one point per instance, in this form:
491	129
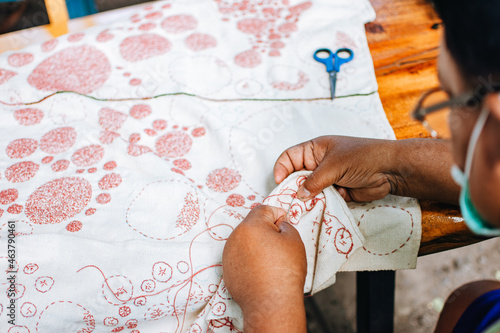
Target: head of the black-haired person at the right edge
469	62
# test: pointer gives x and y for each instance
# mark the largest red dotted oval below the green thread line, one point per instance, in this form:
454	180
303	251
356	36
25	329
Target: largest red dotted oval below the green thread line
58	200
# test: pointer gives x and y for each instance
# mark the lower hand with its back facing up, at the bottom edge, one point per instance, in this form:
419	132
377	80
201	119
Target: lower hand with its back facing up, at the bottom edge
264	269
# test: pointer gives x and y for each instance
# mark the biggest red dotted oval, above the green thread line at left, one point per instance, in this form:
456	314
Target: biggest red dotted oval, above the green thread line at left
82	69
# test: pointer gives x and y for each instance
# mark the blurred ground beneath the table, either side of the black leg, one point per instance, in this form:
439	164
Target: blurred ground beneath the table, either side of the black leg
420	293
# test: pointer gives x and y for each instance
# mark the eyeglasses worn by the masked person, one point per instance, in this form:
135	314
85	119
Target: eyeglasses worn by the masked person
433	110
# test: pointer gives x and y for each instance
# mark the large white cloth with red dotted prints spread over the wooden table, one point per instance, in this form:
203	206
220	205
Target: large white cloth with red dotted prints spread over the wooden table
123	205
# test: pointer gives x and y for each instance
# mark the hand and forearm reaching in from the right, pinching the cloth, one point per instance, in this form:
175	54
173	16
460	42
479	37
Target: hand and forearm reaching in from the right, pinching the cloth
369	169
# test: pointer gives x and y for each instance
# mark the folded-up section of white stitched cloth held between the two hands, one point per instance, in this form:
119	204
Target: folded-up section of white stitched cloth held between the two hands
328	229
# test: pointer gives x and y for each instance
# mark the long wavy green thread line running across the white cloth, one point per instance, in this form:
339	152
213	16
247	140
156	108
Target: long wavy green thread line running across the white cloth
196	96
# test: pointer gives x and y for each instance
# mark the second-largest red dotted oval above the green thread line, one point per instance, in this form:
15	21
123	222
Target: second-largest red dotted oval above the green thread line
144	46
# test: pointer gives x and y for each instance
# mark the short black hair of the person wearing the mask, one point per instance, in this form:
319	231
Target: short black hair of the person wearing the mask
472	35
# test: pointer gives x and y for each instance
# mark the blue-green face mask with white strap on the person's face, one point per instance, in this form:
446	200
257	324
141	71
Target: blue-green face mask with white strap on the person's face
474	221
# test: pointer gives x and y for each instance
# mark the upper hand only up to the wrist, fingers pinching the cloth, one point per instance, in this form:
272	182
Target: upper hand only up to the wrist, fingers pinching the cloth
354	165
